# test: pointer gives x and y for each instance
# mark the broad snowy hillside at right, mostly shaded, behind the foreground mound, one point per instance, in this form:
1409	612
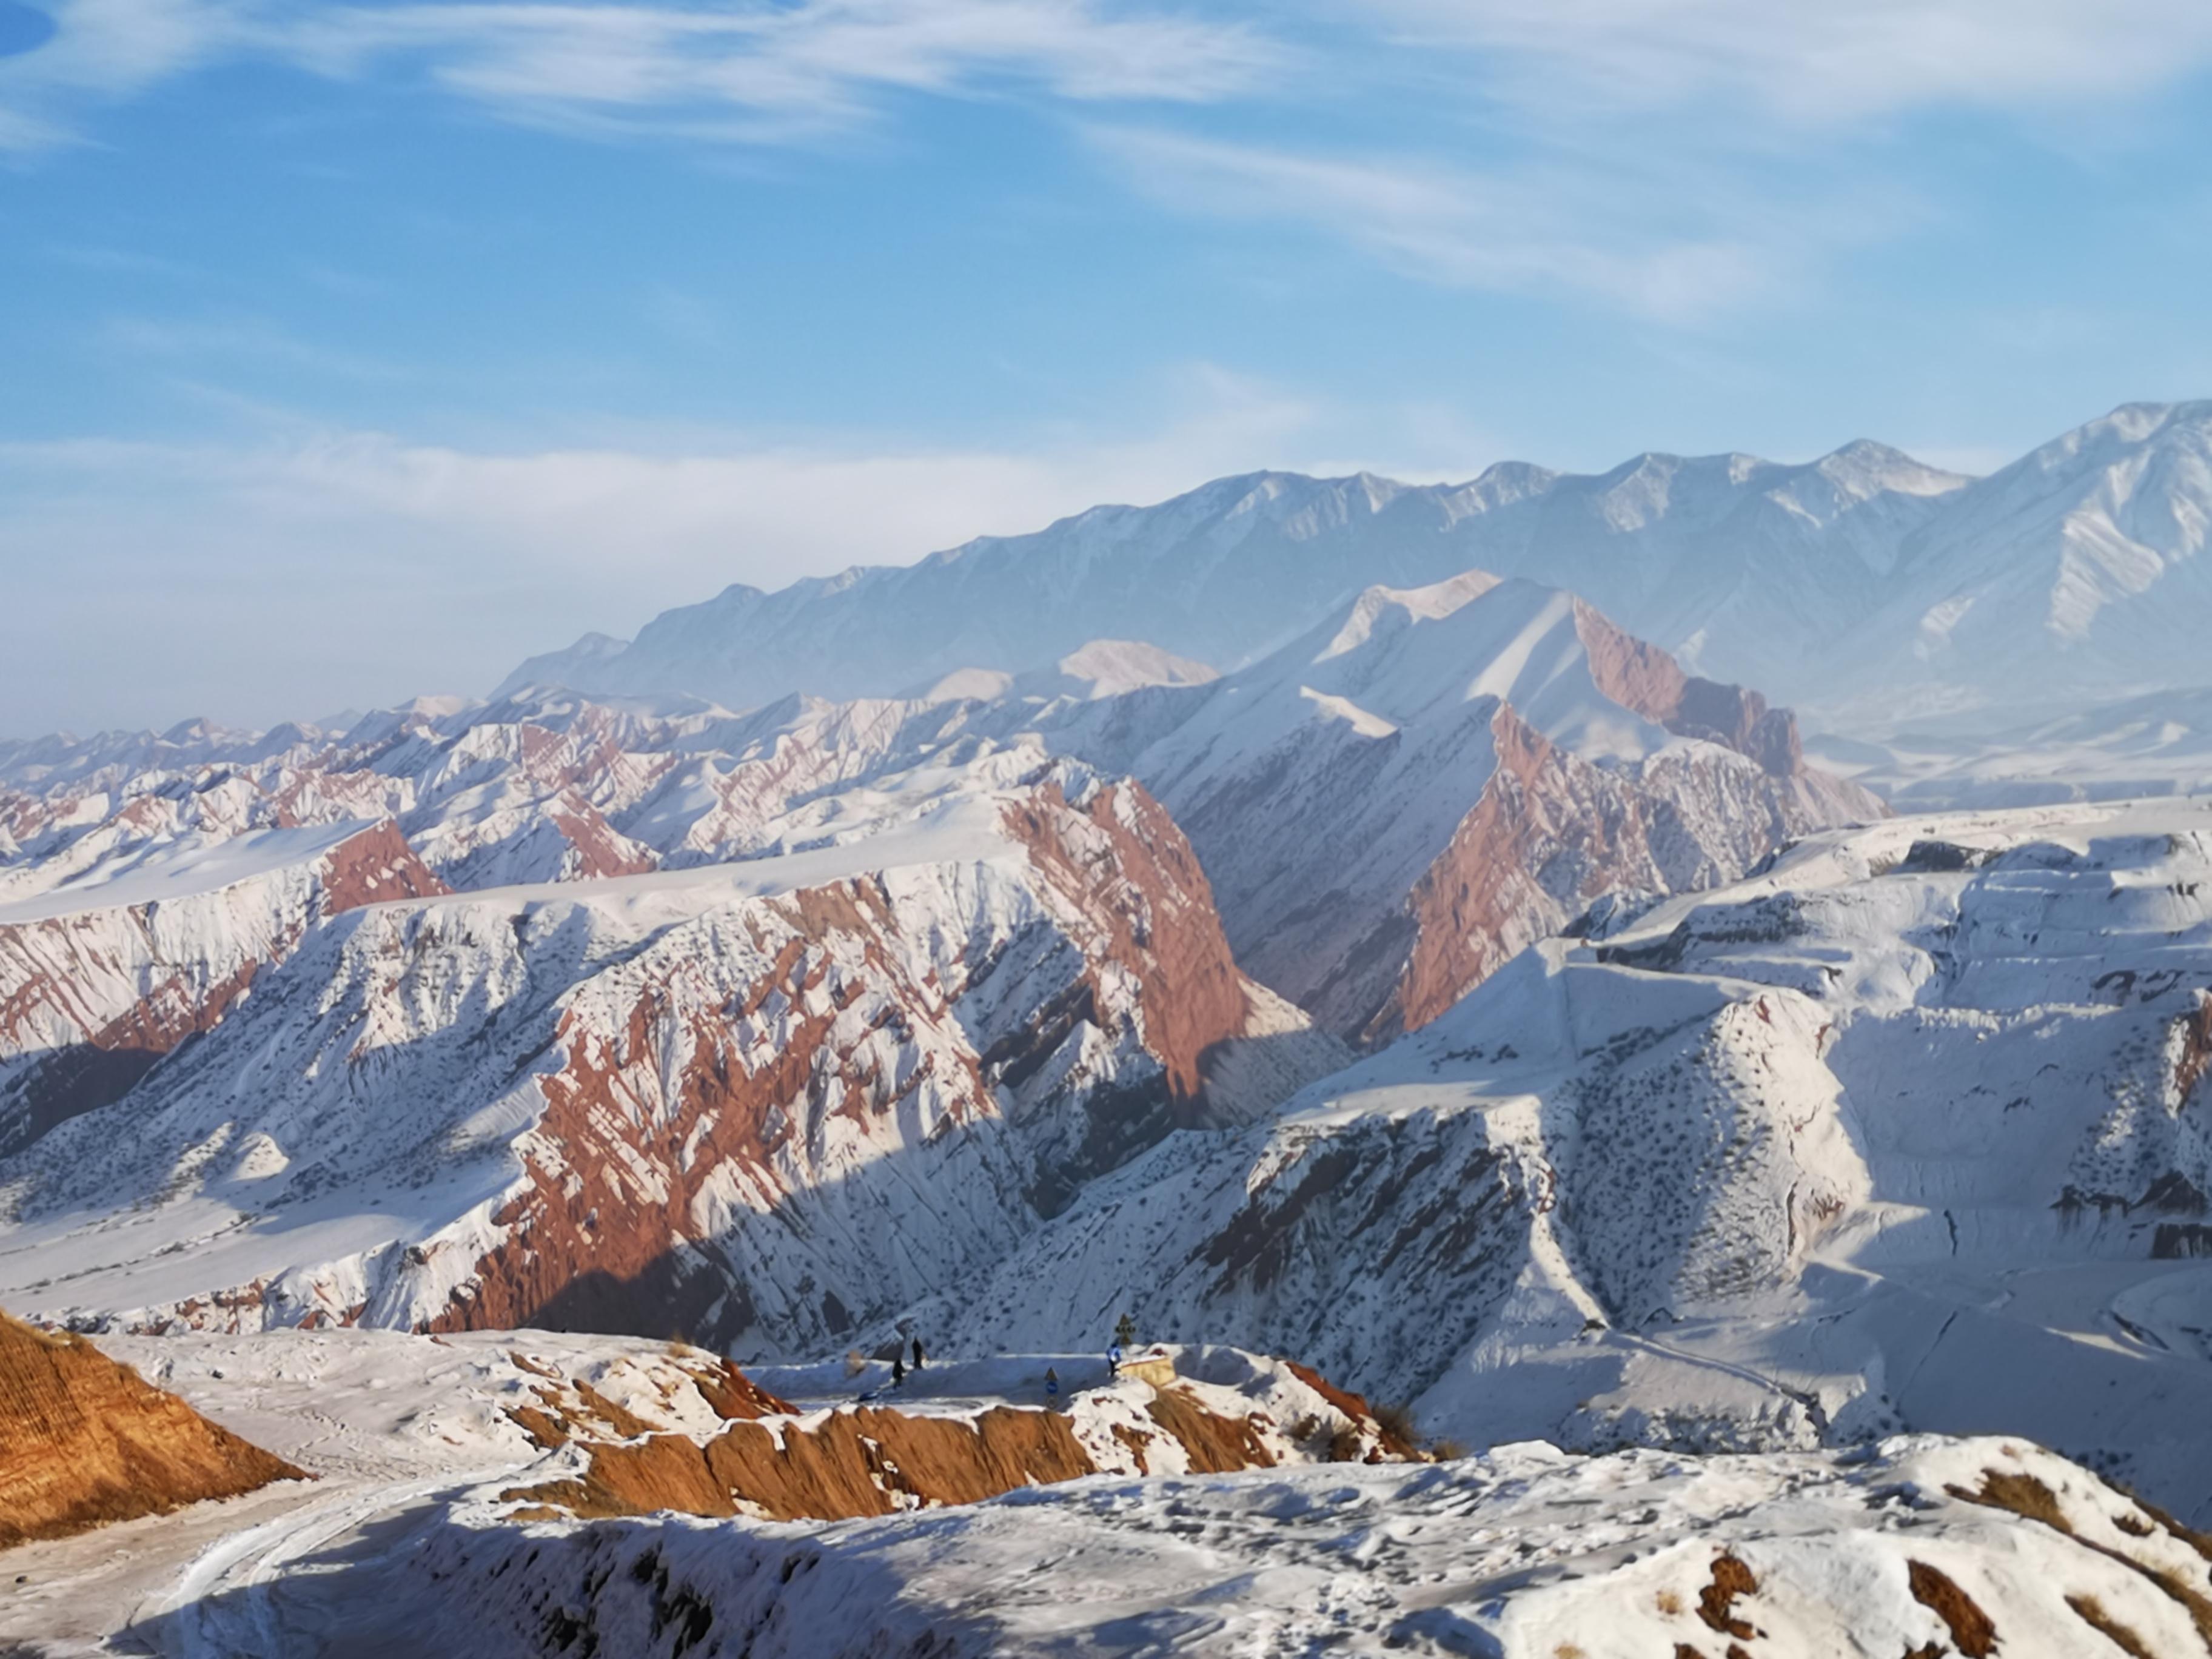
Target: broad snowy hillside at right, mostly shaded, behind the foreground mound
1908	1131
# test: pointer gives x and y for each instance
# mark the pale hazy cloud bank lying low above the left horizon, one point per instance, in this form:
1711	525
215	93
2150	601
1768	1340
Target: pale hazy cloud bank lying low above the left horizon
295	576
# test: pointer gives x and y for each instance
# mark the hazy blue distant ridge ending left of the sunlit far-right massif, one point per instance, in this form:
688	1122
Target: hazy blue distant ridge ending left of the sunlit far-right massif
1704	550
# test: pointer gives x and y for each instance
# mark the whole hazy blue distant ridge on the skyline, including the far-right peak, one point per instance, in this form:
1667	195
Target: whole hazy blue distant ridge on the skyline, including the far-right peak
1864	583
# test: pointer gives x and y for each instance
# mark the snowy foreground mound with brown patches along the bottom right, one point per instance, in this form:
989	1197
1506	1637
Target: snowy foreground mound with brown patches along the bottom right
1928	1547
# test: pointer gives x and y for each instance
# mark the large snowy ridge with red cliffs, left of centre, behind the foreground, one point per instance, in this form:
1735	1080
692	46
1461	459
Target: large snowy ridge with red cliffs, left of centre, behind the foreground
760	1103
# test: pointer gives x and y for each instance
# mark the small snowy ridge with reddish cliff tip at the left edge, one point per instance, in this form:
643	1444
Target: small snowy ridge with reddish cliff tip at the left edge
98	983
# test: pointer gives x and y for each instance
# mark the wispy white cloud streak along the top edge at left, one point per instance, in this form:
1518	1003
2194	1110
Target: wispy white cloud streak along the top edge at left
740	72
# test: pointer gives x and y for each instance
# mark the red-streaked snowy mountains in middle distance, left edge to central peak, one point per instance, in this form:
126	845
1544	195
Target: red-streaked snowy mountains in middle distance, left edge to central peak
769	1027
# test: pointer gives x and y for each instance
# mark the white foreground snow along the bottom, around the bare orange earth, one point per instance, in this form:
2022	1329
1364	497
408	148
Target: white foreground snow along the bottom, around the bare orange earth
408	1545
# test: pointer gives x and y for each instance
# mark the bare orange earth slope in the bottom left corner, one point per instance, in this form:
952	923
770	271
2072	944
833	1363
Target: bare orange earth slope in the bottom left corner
85	1441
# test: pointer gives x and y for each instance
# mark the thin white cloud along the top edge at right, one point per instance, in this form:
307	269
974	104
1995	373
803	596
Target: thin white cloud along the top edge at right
1815	61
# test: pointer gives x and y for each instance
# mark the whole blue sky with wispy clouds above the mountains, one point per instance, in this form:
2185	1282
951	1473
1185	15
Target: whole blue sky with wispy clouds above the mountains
357	351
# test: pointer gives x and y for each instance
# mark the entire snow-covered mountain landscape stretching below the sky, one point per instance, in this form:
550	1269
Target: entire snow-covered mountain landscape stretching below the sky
1426	979
